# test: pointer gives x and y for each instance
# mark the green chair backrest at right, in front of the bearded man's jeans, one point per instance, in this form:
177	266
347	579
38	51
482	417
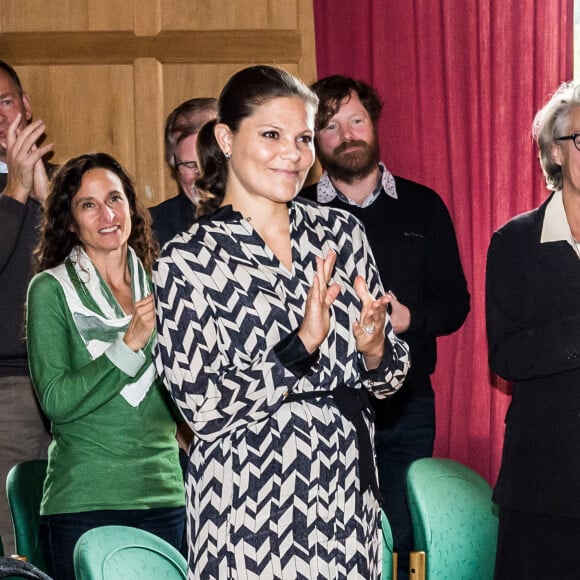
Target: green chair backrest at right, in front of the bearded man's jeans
453	518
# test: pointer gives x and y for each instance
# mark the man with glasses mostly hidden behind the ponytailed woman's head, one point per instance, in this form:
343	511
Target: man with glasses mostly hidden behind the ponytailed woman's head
181	128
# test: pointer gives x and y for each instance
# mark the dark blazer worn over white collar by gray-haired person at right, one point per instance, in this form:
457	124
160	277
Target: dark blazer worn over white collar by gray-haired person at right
533	327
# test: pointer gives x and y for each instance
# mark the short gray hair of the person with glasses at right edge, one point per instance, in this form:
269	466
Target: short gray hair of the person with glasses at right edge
551	122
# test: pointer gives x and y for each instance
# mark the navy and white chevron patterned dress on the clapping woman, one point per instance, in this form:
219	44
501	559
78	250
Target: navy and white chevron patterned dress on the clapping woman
273	487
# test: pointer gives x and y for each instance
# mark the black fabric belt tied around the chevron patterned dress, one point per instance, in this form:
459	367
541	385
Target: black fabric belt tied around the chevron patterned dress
352	403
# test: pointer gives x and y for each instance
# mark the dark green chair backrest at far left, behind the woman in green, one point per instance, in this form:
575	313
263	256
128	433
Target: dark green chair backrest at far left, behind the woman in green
24	490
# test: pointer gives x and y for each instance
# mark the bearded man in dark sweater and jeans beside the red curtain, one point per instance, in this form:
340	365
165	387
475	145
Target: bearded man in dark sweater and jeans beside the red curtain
414	244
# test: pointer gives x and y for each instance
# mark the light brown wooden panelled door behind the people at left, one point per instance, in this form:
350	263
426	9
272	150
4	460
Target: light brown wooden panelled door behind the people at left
104	74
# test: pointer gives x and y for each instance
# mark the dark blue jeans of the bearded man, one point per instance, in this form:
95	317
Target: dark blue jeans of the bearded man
408	435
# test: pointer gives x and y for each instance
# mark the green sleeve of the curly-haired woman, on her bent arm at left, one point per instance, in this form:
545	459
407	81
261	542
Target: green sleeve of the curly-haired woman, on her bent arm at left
67	391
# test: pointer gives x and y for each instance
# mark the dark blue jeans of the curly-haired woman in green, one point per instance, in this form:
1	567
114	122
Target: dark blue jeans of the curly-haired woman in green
59	533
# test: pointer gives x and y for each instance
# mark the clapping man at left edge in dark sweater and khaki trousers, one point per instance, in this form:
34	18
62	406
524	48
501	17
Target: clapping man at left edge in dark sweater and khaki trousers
23	188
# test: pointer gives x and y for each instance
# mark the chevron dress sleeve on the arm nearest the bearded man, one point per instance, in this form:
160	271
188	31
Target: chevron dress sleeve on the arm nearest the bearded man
388	378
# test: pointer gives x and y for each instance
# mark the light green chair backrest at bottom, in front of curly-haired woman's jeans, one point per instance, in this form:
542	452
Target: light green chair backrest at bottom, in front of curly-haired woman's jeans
113	552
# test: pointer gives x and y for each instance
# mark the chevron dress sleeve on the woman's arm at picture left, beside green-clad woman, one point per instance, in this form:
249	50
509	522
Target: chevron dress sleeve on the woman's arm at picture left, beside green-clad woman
214	393
